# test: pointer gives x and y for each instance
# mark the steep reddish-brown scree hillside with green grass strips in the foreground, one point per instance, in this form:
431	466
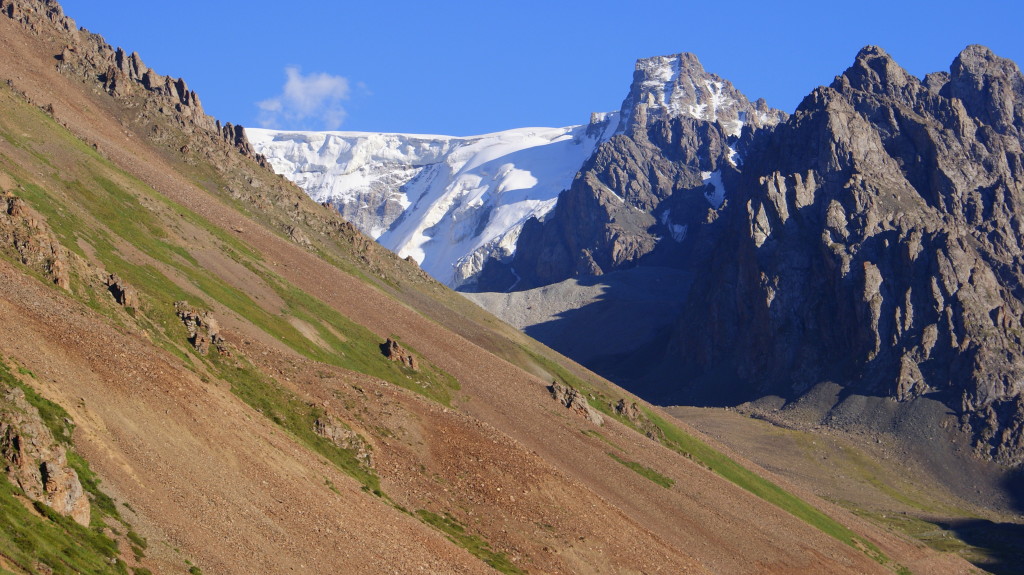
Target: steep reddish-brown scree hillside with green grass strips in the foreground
245	384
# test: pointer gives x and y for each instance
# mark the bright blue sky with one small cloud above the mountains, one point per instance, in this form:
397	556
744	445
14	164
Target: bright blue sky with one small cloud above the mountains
466	68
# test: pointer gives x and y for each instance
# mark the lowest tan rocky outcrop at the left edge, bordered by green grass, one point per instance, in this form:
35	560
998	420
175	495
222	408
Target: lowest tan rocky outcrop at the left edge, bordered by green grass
36	462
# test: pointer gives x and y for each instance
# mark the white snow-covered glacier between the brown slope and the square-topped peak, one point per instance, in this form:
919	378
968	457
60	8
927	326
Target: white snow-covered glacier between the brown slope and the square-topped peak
450	203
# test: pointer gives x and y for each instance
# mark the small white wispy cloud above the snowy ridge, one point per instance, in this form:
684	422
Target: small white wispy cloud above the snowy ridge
312	102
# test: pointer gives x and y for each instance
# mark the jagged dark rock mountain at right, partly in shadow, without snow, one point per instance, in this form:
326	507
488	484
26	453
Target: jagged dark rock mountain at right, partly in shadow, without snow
874	241
